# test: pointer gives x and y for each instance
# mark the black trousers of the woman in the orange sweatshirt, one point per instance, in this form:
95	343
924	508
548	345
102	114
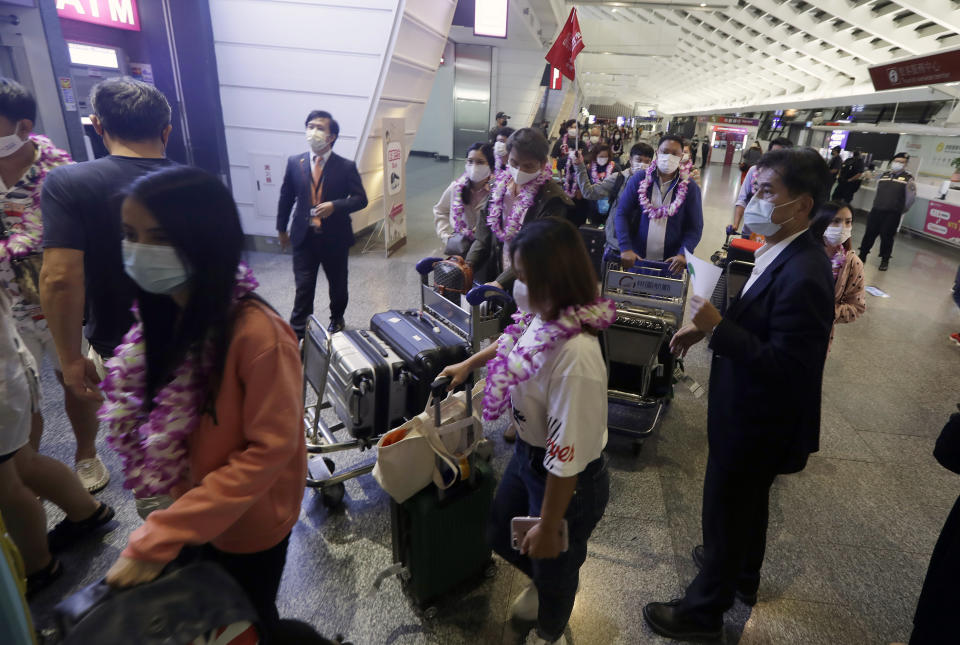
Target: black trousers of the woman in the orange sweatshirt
258	574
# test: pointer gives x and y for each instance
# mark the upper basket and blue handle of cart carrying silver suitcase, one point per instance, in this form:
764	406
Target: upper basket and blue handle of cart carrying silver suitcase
477	319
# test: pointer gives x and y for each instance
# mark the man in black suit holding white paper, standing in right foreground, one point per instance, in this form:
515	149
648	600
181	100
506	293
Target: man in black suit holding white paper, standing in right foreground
765	387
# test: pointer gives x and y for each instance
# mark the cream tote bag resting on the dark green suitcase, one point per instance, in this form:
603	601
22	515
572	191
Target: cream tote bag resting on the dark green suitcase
407	455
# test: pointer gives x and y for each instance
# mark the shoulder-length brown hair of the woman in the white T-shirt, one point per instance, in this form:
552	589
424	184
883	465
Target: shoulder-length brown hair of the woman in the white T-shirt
556	263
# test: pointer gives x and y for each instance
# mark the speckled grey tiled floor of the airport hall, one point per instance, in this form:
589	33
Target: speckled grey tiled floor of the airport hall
849	537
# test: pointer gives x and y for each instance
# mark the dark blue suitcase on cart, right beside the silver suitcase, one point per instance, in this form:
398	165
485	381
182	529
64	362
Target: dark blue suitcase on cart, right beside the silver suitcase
425	345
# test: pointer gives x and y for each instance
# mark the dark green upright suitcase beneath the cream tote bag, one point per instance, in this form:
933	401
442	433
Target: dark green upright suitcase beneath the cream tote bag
442	543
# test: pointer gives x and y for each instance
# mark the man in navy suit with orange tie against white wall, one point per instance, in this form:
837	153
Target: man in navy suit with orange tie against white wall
322	189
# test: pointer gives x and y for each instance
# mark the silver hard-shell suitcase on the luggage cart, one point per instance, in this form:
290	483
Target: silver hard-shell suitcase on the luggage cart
366	383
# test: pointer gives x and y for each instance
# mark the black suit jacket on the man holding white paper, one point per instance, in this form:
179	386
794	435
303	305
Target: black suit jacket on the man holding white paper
767	370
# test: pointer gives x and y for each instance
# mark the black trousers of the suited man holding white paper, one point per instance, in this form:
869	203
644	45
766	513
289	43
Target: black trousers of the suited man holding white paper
734	518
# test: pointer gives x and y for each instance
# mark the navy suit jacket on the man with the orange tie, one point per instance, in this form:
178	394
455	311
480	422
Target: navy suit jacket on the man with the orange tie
341	185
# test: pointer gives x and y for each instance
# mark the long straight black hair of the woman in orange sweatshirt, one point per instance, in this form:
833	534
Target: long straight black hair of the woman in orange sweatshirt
200	218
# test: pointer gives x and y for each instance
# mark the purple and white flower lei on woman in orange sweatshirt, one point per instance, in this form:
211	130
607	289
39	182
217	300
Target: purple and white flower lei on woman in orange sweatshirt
153	446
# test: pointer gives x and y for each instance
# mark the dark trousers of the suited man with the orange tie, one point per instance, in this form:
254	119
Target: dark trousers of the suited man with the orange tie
314	252
